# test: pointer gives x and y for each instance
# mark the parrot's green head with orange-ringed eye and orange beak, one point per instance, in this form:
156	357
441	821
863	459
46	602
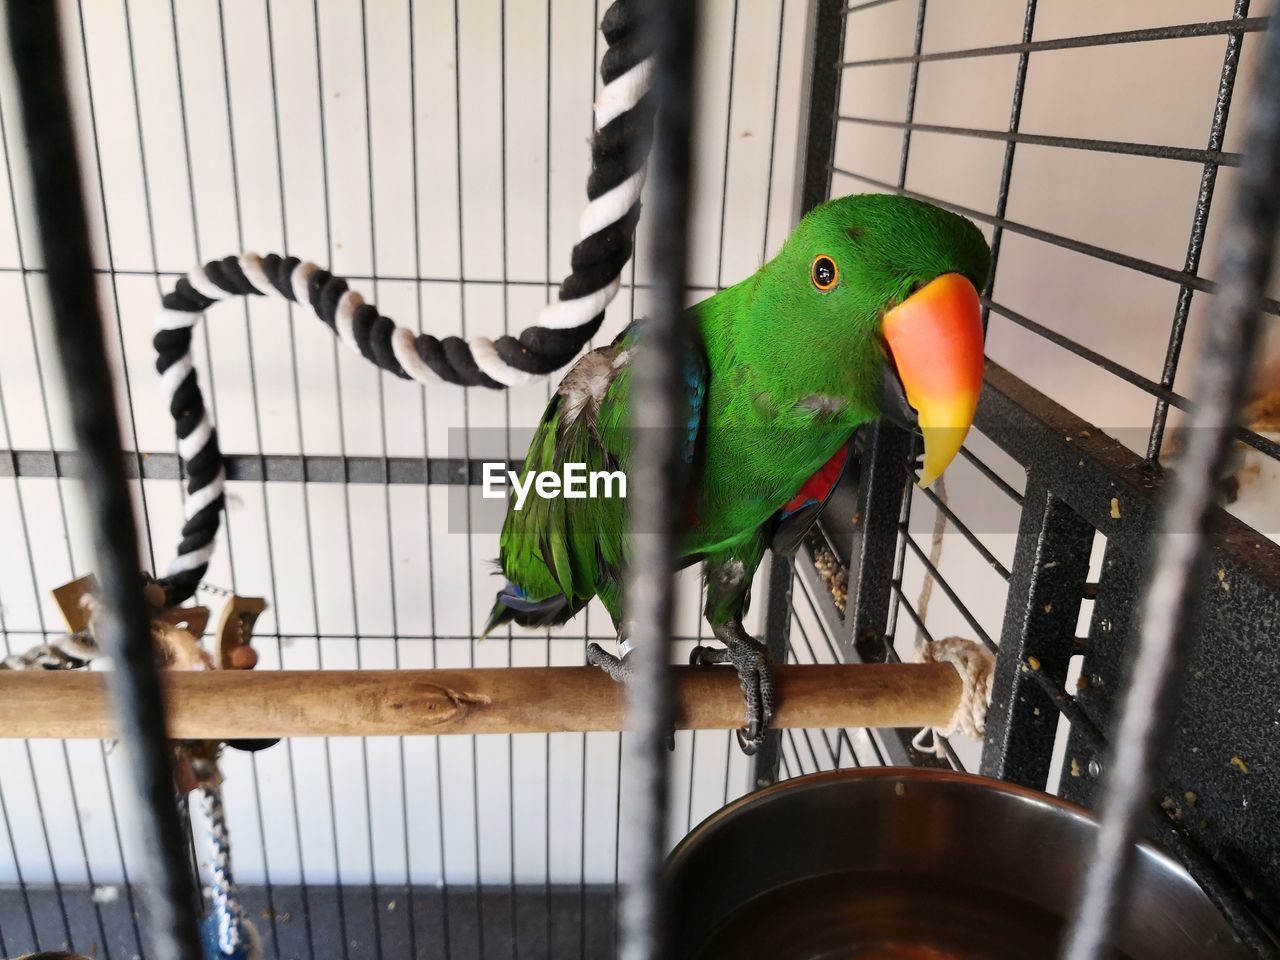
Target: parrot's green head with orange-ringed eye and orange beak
888	314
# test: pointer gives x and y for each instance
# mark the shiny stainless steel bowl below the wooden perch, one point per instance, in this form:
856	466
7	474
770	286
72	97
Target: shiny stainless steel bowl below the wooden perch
913	865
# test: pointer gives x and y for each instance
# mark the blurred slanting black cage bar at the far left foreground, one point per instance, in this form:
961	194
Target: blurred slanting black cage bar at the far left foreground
125	628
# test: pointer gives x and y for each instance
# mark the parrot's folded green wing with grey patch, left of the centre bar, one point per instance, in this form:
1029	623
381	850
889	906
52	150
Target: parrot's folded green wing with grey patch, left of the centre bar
560	552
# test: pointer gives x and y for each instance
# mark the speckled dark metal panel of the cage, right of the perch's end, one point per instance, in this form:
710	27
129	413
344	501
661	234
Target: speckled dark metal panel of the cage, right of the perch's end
1229	707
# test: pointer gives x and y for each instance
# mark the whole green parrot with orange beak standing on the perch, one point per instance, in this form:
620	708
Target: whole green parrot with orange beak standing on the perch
871	309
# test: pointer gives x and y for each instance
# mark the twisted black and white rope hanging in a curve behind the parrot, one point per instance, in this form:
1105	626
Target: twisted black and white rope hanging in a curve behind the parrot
624	121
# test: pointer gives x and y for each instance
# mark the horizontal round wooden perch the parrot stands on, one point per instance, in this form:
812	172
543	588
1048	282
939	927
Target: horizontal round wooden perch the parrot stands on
234	705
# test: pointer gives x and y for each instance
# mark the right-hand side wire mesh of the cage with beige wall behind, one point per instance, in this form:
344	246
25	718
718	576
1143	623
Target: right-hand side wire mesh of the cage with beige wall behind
1100	213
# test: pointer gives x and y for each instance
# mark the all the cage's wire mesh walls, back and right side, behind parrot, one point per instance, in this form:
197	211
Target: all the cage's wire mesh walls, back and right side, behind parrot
436	156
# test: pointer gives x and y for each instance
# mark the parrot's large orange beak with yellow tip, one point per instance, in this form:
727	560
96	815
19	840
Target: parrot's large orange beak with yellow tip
935	339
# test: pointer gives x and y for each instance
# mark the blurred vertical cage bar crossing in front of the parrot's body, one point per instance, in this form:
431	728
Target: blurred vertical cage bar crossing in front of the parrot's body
655	513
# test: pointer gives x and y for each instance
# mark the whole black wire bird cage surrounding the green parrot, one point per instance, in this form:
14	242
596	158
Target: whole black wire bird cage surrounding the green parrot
1108	537
